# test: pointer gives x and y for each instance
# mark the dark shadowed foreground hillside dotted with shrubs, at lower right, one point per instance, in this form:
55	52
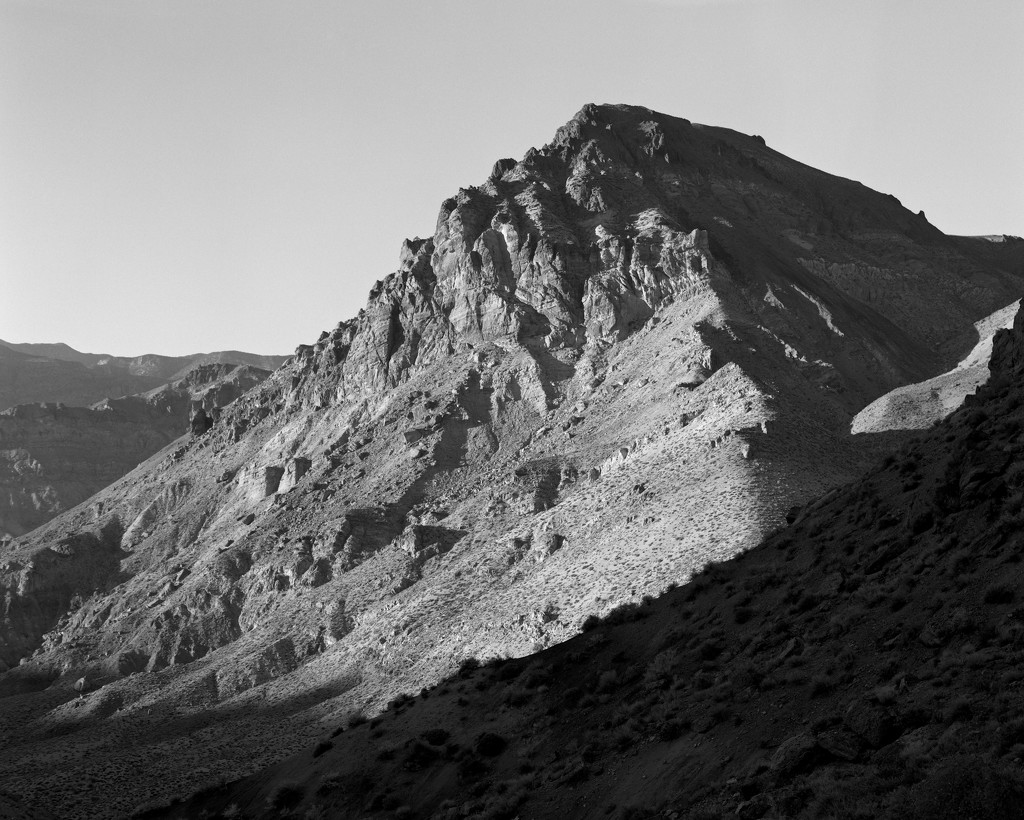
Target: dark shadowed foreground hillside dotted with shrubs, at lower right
865	663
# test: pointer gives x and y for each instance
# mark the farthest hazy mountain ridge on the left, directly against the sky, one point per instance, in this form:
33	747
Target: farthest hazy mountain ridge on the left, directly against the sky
56	373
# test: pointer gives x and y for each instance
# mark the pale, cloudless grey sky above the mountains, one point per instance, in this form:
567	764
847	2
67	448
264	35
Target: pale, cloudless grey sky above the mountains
181	177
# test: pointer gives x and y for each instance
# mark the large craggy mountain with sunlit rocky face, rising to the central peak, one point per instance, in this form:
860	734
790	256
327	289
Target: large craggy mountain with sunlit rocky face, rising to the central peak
631	354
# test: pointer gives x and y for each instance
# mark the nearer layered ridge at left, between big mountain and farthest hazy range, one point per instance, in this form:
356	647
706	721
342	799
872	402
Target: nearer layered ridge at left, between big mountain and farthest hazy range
54	457
